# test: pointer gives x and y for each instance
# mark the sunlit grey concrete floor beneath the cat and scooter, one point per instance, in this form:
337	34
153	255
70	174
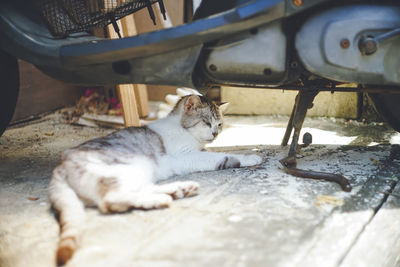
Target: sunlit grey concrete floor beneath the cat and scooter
242	217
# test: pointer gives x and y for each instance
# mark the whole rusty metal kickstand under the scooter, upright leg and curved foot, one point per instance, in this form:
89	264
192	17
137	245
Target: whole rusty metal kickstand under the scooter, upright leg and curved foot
303	102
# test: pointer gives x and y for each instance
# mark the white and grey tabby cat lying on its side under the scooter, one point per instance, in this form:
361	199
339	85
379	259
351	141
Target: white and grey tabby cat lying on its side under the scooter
119	172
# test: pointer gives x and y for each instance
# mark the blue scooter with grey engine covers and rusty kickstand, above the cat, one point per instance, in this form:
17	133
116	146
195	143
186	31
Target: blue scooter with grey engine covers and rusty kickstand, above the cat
304	45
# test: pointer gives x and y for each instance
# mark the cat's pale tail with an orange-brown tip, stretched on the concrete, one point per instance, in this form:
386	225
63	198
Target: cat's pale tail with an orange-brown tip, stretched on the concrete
71	216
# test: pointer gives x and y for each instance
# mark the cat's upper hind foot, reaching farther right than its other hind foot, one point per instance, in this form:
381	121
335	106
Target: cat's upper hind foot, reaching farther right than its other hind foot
178	189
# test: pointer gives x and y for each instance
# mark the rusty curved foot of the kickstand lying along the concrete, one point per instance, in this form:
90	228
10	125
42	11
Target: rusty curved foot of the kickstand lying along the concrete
289	165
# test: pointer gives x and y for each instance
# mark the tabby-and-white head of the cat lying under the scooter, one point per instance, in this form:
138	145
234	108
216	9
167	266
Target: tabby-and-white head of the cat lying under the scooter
200	117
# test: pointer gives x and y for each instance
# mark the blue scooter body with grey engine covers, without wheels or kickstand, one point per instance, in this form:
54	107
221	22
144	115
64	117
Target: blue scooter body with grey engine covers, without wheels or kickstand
260	43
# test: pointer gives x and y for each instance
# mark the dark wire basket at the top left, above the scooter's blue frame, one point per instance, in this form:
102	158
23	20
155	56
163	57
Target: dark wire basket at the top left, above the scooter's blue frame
64	17
